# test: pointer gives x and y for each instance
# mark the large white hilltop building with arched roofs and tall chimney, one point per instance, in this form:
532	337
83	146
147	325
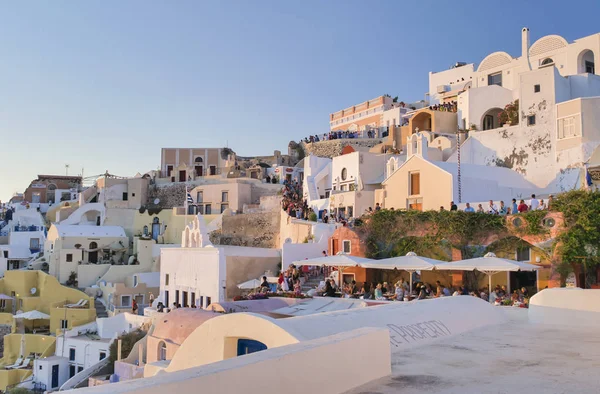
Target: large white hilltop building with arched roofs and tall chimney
556	84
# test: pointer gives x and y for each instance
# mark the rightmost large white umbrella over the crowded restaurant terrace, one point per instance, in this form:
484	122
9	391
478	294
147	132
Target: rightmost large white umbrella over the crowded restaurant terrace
488	264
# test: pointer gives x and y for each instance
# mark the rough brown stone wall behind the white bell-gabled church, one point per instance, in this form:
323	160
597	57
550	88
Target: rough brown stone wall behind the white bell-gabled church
260	230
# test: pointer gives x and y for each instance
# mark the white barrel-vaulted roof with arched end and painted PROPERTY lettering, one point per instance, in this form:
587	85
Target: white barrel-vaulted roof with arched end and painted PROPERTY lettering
410	324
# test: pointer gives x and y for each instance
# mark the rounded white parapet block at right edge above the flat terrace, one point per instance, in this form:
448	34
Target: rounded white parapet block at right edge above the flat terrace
568	307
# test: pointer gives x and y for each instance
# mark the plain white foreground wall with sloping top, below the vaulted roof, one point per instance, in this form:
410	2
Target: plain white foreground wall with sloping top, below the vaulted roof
326	365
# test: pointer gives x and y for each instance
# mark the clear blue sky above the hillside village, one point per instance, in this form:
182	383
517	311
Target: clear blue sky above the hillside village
103	85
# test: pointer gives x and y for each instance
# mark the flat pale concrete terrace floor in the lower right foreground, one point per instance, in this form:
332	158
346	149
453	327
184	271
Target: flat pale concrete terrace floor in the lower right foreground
517	357
